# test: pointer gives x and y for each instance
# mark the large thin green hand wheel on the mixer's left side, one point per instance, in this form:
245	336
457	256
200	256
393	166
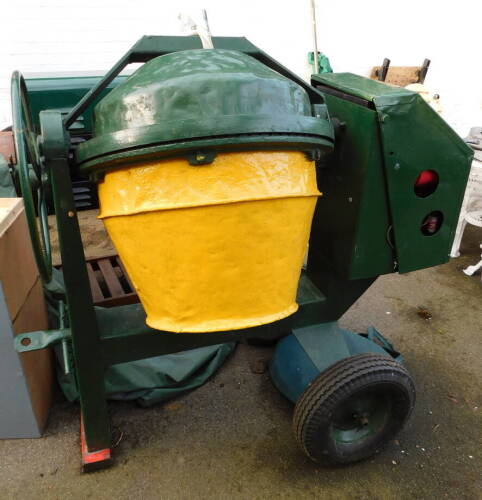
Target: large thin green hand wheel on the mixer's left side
32	176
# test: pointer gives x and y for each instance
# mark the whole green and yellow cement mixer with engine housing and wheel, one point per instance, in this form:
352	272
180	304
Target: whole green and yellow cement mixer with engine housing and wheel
245	204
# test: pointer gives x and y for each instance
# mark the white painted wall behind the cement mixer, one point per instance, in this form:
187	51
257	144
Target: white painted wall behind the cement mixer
88	35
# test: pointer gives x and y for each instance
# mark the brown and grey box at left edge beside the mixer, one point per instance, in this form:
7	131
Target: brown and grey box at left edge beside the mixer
26	381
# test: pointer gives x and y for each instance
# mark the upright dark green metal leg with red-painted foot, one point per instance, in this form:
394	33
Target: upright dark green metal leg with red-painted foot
88	359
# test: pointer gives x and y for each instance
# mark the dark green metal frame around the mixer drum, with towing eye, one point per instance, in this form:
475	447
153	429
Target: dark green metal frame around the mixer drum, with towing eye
102	337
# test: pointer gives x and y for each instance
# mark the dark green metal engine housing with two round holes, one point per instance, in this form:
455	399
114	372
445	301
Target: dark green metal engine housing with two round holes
371	220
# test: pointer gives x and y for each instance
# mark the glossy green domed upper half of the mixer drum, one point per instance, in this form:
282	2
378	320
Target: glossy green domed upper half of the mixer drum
195	99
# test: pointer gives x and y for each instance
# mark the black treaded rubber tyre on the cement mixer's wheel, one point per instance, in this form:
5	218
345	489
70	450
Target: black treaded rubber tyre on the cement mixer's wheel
324	398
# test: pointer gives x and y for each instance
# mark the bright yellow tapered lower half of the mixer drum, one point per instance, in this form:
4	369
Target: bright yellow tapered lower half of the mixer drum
213	247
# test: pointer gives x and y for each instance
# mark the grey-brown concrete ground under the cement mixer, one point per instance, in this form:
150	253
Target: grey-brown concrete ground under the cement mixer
232	438
